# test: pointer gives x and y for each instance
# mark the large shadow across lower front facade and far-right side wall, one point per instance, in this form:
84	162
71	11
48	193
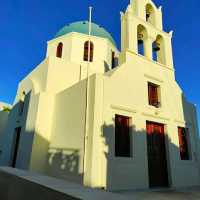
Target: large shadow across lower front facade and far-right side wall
147	155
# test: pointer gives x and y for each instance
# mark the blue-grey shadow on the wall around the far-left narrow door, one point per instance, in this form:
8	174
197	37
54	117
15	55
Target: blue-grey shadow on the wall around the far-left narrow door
17	118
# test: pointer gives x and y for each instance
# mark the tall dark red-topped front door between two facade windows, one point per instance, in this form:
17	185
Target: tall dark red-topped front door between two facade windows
157	159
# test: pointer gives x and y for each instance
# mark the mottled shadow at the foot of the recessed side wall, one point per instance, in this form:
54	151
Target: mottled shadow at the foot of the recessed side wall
64	163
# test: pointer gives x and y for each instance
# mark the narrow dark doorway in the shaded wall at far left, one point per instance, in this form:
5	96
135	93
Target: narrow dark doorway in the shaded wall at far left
16	141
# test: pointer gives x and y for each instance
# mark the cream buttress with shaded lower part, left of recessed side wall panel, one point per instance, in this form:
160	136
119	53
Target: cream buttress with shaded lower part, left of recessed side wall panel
42	128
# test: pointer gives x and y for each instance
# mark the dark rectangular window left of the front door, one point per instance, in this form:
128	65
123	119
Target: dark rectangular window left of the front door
122	136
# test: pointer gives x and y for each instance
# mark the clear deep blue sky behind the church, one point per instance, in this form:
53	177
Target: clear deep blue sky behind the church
26	26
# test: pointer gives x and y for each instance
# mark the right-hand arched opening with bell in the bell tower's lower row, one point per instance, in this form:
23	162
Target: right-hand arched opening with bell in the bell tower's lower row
159	50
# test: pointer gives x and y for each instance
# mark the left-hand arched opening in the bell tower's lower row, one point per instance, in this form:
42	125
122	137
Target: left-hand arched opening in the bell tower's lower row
141	37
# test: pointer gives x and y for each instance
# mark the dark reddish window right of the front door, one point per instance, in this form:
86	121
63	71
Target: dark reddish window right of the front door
183	143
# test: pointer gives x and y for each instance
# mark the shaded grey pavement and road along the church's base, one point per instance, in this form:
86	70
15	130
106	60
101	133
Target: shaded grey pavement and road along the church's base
18	184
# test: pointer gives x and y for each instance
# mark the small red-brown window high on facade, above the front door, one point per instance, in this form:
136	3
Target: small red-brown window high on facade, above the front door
153	94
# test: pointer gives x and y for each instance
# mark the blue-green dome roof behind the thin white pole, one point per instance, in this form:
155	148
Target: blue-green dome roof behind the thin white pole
82	27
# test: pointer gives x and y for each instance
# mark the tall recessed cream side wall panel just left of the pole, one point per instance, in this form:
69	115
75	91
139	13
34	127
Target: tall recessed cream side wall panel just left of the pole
66	149
